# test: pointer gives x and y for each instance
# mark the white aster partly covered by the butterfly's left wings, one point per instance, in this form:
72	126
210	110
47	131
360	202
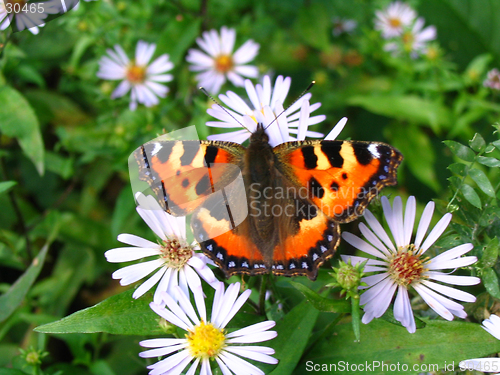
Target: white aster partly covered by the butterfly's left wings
176	263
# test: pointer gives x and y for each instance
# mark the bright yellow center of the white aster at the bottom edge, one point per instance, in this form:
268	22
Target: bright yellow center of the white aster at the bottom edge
205	341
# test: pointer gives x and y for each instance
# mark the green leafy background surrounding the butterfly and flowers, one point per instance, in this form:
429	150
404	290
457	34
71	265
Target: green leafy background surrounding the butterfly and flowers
65	194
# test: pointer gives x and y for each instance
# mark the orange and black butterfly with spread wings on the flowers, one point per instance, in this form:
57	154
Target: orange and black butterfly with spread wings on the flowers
260	209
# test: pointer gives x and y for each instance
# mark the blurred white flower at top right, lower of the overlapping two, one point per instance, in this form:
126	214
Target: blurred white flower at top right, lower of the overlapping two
414	41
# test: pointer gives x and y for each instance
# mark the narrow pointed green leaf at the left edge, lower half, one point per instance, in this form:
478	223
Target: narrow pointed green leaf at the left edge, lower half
15	295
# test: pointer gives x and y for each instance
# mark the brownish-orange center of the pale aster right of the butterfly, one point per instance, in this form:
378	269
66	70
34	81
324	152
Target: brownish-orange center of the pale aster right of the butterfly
406	267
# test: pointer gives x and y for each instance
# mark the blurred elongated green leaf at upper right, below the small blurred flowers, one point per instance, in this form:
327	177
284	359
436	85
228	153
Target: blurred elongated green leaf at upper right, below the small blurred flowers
413	109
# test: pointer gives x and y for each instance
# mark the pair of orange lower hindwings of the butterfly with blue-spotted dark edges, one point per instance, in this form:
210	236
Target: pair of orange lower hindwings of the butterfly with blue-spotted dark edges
306	238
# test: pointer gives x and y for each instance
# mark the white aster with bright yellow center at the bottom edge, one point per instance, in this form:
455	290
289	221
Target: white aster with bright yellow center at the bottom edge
207	340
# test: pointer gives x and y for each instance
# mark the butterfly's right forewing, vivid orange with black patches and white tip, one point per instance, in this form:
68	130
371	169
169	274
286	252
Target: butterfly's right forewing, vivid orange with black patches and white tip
339	177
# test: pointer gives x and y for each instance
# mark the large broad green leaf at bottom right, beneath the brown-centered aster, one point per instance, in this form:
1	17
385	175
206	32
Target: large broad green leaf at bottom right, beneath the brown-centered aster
440	343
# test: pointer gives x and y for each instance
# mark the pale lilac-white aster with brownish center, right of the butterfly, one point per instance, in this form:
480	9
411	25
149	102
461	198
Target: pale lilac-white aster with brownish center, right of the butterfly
404	265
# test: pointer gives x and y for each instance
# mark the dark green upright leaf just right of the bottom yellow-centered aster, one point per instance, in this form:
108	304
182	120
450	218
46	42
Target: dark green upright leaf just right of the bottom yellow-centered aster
294	332
